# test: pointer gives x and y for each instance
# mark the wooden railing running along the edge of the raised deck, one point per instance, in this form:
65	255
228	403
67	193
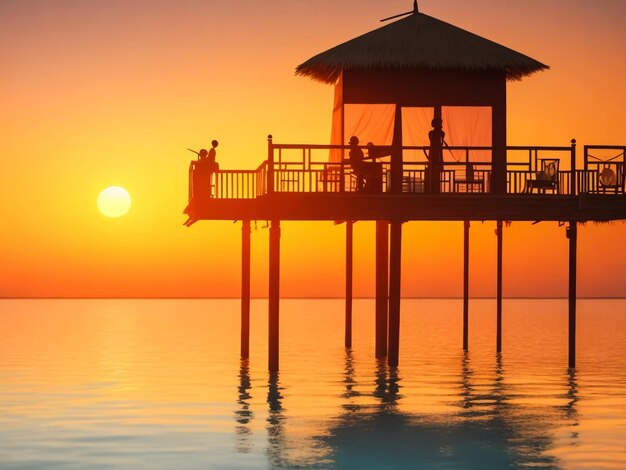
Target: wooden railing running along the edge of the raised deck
292	168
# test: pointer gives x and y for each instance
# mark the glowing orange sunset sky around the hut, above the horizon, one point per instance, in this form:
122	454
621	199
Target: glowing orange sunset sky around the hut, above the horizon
112	93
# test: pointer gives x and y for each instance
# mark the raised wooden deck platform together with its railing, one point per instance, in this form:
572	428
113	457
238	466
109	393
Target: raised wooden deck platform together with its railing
304	188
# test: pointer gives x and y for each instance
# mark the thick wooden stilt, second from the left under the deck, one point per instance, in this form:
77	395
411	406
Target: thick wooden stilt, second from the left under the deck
274	295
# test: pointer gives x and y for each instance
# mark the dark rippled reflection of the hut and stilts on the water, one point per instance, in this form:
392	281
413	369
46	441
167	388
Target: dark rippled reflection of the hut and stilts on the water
487	426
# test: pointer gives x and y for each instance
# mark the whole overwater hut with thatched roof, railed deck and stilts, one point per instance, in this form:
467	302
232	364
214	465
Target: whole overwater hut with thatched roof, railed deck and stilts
393	87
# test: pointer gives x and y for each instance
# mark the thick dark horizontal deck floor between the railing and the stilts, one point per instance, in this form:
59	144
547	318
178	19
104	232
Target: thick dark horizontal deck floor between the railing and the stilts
312	207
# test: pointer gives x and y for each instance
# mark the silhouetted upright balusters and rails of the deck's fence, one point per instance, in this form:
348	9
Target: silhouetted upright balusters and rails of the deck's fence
305	175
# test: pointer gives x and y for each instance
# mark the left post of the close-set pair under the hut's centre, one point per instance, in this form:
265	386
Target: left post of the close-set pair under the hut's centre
382	286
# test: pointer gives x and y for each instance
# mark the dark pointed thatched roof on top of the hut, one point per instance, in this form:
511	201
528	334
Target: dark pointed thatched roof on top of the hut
419	42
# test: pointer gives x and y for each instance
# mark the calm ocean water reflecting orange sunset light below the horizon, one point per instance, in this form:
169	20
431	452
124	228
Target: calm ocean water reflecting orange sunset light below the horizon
159	384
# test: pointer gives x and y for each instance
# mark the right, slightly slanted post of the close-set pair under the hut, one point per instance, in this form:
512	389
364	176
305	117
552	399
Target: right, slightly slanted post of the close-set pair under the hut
395	268
